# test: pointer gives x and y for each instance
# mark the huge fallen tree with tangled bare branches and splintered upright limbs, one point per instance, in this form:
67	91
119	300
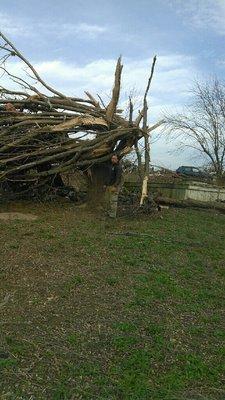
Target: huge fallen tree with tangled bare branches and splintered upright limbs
44	133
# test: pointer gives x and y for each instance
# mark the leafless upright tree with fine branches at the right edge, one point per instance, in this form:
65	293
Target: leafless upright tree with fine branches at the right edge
201	126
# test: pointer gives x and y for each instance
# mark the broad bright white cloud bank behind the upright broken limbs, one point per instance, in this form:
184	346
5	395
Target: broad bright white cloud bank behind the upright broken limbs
170	83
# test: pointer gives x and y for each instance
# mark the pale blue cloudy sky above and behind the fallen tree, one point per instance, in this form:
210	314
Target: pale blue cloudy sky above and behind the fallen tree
74	44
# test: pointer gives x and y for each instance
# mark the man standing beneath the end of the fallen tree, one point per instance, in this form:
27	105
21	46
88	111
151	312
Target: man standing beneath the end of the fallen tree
112	186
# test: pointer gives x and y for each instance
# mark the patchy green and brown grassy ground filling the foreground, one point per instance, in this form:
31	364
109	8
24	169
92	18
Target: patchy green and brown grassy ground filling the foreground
86	313
